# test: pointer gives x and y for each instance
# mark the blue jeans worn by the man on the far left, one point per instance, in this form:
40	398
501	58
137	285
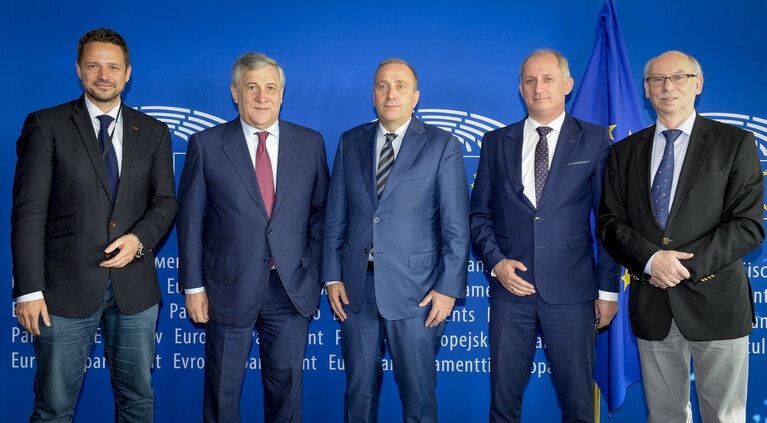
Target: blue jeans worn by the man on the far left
62	350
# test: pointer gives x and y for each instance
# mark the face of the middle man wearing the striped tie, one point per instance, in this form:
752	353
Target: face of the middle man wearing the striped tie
395	95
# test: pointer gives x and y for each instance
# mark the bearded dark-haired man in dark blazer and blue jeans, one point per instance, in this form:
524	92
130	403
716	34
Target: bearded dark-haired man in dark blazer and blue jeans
92	196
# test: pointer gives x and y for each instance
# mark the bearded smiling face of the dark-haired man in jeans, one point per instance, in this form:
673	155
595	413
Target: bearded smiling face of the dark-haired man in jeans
103	73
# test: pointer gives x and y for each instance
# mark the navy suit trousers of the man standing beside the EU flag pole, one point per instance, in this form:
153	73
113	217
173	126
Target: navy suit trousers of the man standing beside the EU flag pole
568	334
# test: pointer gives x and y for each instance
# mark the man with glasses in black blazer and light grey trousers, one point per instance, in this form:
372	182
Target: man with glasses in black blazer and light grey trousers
682	204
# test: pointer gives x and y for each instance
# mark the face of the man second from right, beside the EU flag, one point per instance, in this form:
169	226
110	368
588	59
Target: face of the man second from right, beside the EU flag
544	87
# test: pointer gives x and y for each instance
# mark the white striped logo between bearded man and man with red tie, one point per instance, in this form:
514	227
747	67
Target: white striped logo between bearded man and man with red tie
182	123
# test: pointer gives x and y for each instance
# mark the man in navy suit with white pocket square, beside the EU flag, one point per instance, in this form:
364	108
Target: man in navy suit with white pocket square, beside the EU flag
538	182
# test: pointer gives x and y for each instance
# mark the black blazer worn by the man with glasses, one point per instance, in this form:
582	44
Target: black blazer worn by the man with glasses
716	215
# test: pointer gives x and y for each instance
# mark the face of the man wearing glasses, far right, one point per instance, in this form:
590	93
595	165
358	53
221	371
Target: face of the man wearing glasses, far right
673	103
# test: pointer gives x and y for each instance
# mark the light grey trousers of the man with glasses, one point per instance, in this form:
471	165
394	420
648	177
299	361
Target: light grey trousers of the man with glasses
721	378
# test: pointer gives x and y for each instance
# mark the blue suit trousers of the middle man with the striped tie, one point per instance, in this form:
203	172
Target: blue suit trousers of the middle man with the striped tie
413	348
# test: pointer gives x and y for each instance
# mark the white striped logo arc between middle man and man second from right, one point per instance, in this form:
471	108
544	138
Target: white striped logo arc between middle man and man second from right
469	128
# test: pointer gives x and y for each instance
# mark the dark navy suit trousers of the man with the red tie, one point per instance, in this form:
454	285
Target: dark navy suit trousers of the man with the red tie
282	343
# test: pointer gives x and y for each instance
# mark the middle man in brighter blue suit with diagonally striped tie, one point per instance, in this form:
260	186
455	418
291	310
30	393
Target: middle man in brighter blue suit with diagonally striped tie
396	247
